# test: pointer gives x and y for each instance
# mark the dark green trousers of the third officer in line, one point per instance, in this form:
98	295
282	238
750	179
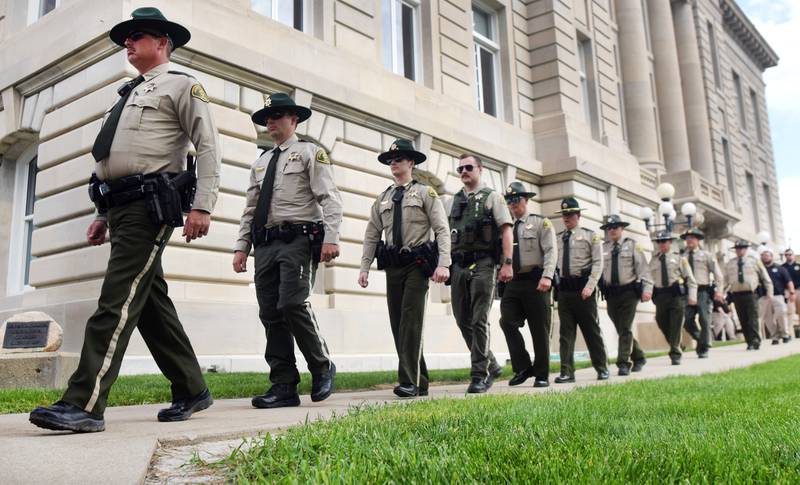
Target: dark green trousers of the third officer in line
406	293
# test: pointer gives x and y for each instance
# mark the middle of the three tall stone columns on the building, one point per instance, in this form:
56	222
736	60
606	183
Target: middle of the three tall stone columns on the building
674	139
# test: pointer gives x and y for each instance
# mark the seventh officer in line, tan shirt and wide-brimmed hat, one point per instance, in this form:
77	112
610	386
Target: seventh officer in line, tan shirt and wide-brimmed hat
626	281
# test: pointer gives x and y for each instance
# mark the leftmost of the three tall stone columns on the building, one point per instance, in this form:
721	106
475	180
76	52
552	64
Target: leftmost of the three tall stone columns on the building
635	67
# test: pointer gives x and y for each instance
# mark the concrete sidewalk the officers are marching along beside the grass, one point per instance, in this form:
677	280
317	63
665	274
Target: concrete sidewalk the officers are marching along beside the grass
123	452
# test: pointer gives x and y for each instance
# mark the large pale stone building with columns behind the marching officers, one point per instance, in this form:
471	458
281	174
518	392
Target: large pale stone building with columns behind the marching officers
600	99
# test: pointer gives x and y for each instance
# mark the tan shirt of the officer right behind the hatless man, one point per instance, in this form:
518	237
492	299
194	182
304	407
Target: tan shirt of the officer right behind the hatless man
537	244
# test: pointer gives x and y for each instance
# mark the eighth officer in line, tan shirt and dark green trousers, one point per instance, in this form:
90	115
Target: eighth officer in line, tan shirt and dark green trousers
673	278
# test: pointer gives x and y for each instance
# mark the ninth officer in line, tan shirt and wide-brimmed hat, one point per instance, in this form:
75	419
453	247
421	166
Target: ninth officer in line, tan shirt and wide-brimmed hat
709	286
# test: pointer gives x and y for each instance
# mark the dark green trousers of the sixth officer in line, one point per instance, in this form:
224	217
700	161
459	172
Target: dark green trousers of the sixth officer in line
574	312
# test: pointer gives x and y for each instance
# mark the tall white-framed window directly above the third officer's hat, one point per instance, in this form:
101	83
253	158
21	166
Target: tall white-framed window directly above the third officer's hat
401	37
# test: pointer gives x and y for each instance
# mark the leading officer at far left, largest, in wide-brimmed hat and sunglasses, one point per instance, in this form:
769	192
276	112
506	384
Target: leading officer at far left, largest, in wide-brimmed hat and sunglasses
145	136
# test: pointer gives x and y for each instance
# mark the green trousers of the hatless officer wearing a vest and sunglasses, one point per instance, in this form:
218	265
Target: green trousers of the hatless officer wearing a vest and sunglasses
472	291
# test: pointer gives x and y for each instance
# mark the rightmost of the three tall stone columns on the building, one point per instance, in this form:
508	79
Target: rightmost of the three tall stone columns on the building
694	97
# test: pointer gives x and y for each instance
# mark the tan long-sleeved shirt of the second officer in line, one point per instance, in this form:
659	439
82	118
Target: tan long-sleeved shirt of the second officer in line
304	191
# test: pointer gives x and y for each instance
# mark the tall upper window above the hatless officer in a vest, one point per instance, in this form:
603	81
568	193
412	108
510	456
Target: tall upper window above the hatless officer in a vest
487	50
